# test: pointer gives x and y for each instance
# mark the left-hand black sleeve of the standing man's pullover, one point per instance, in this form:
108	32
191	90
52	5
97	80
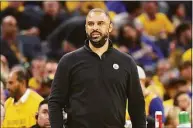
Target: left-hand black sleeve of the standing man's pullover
59	93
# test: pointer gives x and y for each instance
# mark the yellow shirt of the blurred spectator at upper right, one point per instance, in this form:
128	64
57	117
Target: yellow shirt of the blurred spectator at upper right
156	26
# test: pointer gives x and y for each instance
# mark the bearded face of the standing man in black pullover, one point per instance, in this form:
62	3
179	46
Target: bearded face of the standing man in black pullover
98	27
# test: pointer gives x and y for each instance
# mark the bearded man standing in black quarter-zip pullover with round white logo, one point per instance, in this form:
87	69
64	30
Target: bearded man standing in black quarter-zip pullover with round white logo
94	82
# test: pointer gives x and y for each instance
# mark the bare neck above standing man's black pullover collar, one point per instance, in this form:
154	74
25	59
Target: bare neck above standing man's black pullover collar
99	51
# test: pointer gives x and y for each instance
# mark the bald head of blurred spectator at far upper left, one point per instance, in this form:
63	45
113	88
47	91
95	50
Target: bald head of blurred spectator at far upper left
9	26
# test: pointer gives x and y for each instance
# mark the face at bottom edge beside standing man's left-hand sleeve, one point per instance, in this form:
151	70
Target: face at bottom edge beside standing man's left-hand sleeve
43	117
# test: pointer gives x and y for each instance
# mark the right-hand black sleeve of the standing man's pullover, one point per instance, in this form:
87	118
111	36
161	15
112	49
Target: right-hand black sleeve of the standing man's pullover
136	103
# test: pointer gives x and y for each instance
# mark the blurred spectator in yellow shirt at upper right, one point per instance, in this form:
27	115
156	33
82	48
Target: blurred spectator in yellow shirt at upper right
150	19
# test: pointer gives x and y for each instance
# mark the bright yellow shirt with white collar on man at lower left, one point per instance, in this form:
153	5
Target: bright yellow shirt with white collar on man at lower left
22	113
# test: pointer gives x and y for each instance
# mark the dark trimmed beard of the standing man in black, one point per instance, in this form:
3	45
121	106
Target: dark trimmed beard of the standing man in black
97	43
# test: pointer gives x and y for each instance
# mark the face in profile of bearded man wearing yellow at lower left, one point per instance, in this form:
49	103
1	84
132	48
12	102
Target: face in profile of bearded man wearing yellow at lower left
13	85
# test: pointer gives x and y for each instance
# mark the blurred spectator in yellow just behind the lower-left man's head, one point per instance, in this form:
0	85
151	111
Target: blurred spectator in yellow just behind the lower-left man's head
37	69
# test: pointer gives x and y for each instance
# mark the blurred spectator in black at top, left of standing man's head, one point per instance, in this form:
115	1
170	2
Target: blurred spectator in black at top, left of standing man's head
52	18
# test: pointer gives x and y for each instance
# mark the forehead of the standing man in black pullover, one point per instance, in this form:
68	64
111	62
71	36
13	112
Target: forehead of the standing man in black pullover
93	16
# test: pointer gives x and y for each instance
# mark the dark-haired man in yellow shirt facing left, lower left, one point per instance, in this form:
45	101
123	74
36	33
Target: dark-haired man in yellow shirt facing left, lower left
23	103
